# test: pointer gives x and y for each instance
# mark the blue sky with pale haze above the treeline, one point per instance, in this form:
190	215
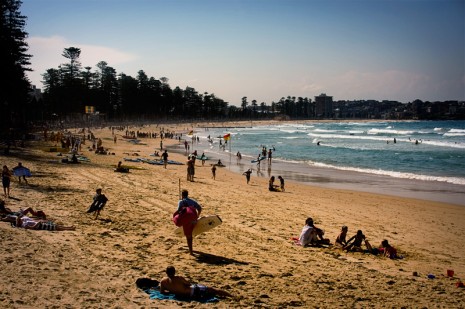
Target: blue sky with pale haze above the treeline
263	49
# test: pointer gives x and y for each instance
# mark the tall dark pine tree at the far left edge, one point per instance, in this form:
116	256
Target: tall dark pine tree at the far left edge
14	62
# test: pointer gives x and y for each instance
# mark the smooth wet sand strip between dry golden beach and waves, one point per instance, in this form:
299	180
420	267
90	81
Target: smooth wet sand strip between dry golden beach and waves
342	180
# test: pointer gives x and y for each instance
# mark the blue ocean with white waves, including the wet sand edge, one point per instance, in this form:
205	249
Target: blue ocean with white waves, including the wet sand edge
423	158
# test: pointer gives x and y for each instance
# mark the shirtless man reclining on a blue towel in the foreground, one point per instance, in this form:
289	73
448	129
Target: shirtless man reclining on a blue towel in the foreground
181	287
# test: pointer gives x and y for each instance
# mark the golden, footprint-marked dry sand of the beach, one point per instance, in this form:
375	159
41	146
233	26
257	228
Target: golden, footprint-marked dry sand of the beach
251	254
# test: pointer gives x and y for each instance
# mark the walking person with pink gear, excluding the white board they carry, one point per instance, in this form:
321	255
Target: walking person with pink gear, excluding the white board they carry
186	216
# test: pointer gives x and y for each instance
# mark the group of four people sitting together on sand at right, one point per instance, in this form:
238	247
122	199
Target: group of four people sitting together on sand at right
314	236
